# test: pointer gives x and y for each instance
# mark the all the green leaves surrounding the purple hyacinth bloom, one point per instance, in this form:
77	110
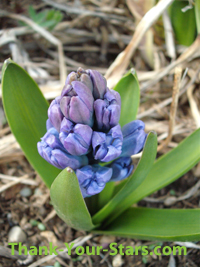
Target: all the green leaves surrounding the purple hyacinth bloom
26	111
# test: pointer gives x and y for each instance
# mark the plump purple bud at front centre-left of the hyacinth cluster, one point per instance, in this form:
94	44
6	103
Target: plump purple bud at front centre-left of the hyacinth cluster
76	139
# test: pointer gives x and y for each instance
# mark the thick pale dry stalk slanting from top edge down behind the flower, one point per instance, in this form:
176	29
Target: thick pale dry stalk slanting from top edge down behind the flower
118	67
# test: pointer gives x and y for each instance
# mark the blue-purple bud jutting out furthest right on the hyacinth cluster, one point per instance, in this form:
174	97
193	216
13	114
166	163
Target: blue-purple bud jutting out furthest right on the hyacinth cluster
134	138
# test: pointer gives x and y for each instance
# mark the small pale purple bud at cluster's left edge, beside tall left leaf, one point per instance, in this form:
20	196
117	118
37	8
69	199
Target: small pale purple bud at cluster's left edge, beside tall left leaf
54	113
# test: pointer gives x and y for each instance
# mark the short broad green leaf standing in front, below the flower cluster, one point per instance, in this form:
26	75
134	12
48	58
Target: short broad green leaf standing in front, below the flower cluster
68	201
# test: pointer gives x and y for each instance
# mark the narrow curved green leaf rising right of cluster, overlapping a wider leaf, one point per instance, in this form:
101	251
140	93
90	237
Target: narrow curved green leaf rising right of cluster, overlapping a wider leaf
121	202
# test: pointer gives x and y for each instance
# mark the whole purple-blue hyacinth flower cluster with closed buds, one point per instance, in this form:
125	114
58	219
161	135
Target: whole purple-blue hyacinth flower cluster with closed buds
83	131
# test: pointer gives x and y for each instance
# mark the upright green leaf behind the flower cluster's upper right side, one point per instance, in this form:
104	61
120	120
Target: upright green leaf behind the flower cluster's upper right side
129	90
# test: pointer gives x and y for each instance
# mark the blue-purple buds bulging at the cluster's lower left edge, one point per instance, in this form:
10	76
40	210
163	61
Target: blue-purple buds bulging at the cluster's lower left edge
51	149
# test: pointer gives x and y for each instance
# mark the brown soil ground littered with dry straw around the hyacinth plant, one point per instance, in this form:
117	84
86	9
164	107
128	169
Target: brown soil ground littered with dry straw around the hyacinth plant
93	41
